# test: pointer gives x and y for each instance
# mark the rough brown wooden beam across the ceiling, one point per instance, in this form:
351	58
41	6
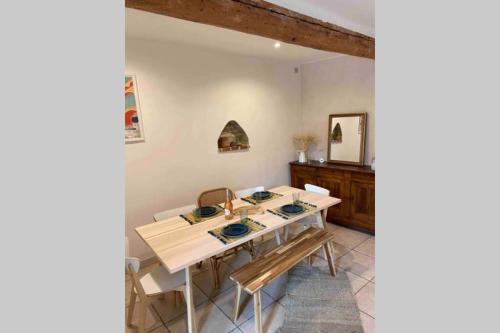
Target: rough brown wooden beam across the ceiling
262	18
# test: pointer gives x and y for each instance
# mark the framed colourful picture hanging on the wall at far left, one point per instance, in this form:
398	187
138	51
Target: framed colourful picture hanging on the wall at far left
133	120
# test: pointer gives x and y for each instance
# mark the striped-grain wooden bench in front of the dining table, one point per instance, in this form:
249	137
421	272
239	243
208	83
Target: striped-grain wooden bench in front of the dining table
265	268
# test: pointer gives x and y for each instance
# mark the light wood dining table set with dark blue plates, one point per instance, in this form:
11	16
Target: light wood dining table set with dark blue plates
179	244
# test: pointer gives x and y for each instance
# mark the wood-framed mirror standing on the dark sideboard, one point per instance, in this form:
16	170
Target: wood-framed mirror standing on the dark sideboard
346	138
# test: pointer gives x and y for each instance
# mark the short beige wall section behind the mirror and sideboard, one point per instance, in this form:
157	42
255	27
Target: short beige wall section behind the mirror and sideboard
340	85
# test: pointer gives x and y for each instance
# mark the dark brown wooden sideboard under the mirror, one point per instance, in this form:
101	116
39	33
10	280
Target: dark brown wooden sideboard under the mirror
354	185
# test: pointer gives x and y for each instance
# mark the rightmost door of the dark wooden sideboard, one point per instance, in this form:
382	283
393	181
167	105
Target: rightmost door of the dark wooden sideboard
363	204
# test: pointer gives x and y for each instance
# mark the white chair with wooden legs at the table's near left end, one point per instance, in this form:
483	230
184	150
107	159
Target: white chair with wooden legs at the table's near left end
152	285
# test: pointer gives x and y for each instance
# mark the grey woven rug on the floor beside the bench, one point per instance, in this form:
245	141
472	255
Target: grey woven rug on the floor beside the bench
317	302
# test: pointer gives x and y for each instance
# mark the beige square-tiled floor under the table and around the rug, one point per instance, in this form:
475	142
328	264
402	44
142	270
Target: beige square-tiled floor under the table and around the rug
354	253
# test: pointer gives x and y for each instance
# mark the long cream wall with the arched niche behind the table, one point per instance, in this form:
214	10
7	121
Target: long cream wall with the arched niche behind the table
187	95
